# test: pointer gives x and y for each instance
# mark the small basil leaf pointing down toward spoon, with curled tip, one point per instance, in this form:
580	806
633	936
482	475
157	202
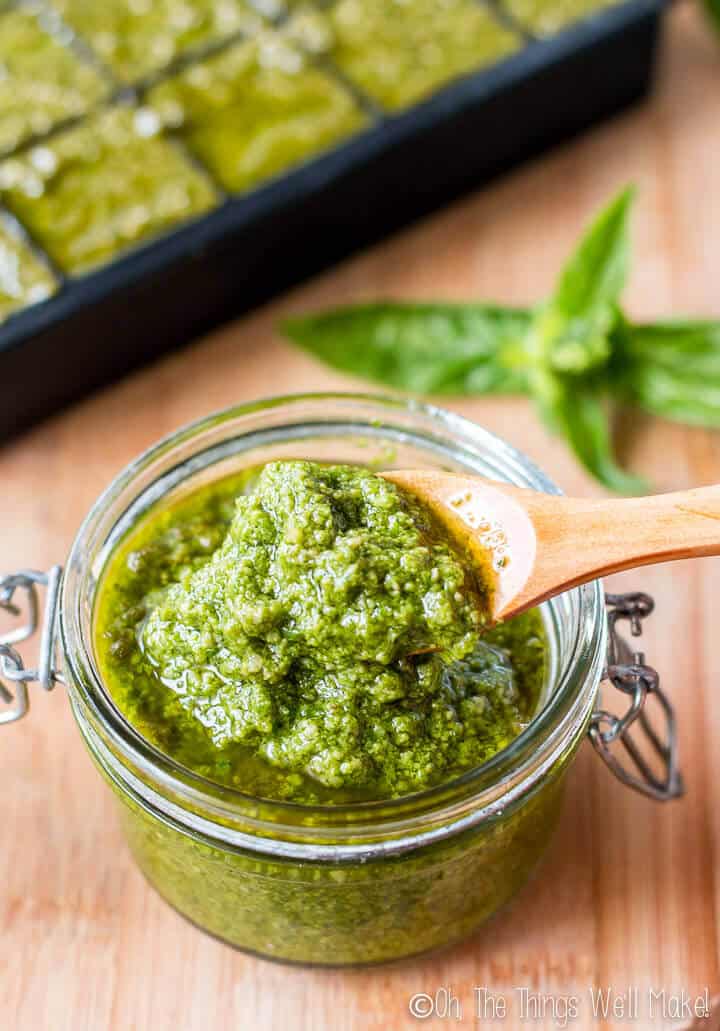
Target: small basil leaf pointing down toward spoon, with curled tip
579	414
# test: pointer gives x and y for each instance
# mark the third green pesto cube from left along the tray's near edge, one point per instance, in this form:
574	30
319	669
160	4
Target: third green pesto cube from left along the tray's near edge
256	111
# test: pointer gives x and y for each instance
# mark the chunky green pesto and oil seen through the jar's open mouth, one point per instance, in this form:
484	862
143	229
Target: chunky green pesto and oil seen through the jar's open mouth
310	634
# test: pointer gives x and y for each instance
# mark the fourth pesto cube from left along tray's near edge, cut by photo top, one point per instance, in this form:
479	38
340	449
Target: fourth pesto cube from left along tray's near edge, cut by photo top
399	52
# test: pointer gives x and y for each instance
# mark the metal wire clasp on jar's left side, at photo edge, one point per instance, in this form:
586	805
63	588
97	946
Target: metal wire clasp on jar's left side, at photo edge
15	678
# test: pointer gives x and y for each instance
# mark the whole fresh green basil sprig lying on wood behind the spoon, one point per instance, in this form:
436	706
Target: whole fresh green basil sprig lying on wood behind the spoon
576	354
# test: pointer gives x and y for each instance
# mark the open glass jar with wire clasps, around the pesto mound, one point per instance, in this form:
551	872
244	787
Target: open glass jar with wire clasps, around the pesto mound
350	884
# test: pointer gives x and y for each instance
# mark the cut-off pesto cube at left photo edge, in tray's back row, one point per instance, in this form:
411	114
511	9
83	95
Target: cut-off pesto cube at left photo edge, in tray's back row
42	82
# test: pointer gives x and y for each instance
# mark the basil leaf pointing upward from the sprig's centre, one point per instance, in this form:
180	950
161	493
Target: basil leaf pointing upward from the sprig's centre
571	331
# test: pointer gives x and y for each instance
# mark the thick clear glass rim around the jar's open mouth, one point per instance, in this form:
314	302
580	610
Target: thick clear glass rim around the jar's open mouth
188	797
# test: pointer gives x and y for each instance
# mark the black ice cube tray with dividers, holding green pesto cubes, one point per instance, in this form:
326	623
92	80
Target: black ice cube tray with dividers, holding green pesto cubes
402	164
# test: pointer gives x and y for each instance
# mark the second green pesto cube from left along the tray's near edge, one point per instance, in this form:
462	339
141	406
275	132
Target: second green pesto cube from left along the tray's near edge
103	187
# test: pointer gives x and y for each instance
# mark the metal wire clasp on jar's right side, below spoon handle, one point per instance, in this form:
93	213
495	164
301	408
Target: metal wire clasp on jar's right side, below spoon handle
629	674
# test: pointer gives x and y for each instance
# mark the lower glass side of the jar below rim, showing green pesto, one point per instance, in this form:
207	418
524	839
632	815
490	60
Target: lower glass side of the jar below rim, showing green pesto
348	913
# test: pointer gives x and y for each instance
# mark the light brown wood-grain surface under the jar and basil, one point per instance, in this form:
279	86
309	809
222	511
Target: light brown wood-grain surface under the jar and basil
630	894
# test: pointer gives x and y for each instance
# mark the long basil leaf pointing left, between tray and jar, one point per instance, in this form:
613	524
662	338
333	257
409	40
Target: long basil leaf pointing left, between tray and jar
427	349
